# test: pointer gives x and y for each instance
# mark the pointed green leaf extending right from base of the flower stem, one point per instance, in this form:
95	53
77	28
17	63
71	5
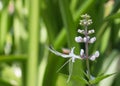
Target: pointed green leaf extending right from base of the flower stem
100	78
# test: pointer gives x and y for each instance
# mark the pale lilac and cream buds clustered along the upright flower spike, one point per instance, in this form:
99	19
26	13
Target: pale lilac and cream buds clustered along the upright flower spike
86	39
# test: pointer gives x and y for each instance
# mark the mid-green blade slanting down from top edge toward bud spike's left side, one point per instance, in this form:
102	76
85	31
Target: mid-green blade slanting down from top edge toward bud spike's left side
68	22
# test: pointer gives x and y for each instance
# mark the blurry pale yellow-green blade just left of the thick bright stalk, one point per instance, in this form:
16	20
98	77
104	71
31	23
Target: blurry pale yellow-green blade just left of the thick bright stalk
19	27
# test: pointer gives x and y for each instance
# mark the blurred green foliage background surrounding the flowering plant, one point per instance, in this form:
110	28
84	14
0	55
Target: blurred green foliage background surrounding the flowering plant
28	27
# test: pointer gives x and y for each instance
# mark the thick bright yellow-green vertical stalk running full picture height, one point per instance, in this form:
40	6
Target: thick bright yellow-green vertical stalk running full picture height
32	60
